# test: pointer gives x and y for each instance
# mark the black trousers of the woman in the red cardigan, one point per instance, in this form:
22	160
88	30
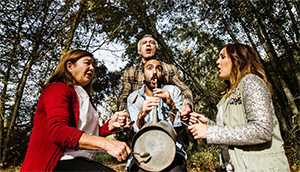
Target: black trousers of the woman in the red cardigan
81	165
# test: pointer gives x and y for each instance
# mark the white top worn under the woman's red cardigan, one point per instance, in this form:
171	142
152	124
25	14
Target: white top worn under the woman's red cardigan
87	122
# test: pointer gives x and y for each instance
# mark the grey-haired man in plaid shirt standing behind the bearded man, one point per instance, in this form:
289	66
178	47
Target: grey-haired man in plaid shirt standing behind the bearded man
147	48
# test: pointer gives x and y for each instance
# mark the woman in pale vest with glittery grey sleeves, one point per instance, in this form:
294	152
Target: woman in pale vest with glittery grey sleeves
246	126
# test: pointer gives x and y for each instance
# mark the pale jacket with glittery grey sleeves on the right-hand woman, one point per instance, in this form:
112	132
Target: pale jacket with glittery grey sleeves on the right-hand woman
251	129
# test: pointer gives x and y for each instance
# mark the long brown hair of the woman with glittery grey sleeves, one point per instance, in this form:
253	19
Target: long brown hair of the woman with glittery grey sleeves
245	60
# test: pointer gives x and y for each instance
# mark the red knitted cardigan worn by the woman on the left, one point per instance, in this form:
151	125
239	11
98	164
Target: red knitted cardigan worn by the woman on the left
54	128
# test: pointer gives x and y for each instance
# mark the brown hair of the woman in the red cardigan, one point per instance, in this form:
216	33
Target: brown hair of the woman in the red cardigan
62	74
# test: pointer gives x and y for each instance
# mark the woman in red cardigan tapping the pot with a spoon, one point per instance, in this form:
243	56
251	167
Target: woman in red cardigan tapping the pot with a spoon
66	133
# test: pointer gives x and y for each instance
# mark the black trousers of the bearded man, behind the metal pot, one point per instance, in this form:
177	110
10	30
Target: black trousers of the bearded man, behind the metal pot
178	165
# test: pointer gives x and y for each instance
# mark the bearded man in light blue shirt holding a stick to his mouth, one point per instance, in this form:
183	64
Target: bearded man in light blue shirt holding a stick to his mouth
167	99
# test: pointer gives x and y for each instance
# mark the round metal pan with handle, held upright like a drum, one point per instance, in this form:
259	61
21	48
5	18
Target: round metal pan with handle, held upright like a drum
158	139
